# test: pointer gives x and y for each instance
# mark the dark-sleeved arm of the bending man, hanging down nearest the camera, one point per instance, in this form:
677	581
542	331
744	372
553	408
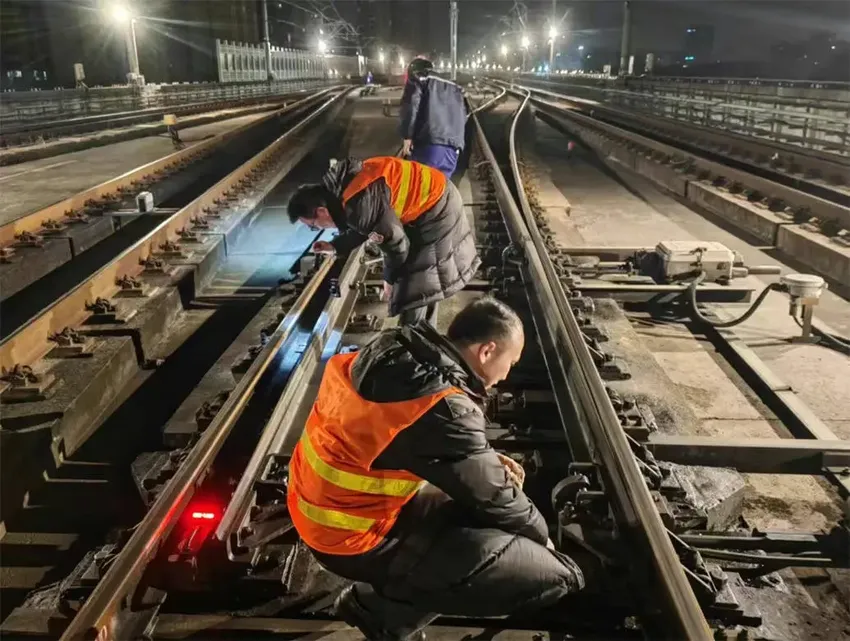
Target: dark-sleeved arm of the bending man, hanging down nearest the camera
371	215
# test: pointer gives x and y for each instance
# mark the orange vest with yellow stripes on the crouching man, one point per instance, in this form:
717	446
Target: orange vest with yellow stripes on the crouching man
337	502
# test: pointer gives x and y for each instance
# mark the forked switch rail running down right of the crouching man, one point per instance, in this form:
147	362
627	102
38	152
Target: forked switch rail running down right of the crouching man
631	500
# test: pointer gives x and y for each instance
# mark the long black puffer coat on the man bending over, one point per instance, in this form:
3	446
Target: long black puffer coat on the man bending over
426	261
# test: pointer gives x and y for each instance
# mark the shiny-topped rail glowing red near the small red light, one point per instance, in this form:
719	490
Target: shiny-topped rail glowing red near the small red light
98	614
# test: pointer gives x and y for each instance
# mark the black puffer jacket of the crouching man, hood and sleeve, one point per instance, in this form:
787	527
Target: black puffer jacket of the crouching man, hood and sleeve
447	446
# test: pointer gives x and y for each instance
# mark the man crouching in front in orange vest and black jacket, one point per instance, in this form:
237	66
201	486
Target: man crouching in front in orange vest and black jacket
394	485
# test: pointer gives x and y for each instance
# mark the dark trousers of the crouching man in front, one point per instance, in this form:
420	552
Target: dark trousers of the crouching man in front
437	562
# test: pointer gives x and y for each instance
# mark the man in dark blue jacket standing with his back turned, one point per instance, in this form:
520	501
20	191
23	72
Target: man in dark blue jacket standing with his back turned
433	118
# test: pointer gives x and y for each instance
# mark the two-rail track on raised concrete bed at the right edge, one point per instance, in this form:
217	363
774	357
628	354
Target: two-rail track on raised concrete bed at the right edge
785	197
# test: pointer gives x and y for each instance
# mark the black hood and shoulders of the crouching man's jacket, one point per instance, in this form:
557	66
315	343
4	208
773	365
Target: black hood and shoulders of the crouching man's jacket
410	362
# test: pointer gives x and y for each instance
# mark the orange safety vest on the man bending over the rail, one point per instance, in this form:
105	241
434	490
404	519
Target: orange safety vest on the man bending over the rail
414	187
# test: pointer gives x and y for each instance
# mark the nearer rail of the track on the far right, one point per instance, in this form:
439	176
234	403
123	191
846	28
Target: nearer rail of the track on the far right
820	208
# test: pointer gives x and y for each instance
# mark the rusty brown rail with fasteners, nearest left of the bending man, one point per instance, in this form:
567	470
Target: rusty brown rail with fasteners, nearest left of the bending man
31	341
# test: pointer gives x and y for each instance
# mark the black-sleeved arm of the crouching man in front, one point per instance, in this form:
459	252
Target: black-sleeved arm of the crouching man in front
448	448
